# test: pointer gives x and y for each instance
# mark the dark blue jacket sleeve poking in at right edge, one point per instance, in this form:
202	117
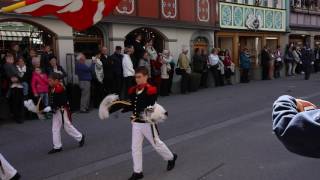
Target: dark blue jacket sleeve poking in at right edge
298	131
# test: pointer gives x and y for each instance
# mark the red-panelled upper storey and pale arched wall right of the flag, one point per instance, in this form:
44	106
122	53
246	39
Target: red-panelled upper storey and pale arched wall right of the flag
171	23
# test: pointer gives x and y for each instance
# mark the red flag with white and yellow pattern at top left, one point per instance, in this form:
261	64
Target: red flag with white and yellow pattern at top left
79	14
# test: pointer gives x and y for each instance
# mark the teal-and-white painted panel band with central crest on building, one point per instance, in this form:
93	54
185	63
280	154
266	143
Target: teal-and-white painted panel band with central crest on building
234	16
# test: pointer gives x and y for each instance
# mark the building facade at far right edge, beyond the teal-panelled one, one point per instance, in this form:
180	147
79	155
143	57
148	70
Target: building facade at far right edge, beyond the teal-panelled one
305	22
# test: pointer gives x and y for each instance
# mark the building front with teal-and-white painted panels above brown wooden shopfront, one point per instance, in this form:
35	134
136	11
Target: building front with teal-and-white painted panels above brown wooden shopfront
251	24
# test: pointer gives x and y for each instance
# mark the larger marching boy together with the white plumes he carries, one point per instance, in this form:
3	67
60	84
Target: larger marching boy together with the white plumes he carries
146	114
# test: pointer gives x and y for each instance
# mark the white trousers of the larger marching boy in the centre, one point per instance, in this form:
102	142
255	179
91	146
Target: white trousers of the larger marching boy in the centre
139	131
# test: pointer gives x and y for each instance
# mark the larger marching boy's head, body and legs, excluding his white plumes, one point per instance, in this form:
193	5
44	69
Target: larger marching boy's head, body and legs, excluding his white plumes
144	96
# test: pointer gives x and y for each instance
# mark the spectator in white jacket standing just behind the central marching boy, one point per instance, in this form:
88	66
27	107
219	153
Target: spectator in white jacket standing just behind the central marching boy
128	70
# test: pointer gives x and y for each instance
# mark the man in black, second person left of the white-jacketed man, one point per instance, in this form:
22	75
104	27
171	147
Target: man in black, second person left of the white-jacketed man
107	70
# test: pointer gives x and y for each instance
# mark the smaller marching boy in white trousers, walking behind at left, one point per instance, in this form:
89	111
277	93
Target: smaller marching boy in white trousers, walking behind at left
61	114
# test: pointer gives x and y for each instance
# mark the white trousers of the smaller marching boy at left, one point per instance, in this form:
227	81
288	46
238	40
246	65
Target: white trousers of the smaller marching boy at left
68	127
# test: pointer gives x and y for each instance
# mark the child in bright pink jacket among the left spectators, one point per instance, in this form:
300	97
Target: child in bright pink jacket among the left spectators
40	85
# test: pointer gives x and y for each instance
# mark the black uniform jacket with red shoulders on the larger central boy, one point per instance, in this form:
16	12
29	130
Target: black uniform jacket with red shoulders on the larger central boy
141	97
